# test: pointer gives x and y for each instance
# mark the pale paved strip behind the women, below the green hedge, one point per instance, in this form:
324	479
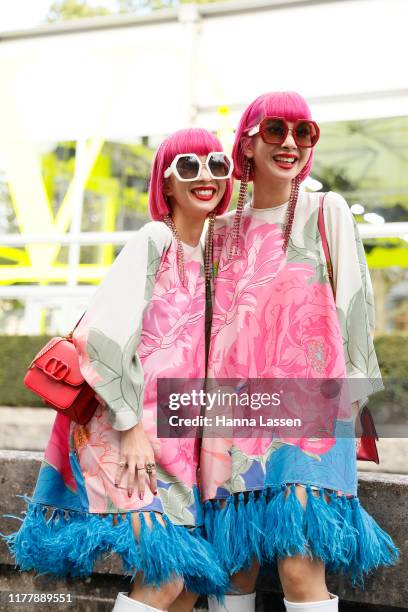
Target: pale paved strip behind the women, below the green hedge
29	428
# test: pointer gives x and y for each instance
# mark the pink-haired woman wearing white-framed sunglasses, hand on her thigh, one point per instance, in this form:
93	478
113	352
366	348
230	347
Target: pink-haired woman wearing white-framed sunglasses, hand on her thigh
113	485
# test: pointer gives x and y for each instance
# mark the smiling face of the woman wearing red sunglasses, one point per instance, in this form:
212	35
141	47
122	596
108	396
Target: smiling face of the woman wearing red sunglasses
273	162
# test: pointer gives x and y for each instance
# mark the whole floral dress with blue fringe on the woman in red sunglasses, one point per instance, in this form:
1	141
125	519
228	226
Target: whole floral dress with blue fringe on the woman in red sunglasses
275	316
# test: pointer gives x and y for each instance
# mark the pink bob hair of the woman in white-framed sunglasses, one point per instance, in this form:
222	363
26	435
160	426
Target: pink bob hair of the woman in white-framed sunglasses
193	140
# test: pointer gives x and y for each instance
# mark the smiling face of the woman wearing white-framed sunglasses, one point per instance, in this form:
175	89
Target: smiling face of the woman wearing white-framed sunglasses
195	198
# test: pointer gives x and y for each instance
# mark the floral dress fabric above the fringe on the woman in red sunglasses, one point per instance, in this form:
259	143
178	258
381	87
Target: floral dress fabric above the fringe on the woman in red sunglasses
275	316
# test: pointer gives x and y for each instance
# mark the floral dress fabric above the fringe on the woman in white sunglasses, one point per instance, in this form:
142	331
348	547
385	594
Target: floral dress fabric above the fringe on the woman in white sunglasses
142	324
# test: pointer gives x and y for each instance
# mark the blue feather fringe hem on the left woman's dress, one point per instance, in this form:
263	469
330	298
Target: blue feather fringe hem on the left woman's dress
69	543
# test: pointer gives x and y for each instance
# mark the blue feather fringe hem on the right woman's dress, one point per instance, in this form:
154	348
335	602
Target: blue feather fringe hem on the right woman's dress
271	524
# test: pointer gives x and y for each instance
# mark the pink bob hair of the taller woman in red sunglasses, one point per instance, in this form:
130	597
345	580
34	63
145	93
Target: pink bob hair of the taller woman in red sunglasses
287	104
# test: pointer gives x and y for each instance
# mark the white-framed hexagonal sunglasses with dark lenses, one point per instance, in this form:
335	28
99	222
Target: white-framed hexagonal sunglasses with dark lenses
188	166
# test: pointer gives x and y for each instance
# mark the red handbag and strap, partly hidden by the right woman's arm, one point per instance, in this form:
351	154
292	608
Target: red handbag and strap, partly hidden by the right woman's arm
366	447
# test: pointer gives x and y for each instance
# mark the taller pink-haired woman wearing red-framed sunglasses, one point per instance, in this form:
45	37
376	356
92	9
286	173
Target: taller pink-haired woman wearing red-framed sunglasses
283	319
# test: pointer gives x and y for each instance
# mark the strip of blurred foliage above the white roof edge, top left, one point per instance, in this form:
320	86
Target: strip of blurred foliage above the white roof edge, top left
62	10
